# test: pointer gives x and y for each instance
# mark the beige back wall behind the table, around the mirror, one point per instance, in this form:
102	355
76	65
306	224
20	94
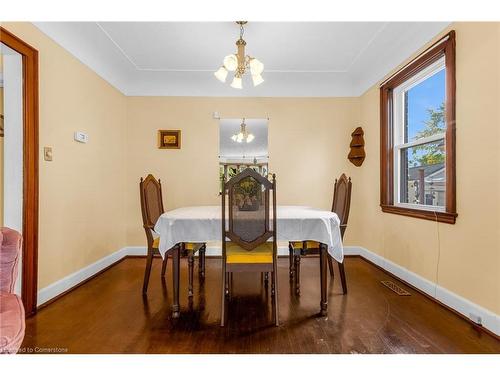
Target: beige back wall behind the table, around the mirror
308	146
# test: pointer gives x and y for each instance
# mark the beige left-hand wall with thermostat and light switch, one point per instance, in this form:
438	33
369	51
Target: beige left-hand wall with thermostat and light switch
81	191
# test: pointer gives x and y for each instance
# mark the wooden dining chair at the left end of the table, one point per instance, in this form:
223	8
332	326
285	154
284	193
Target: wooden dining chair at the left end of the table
152	208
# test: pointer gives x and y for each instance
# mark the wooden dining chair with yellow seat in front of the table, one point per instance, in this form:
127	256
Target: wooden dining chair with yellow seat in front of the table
246	245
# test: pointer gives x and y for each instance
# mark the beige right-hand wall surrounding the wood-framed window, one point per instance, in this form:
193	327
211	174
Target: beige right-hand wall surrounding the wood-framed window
469	260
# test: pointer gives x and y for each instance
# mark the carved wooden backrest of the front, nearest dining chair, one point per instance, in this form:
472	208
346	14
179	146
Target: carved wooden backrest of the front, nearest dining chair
250	222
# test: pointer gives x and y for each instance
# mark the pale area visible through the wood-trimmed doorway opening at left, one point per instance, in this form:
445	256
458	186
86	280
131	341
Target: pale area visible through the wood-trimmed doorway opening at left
11	143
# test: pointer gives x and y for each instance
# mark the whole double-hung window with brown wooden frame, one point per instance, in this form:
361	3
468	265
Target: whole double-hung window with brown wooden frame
418	136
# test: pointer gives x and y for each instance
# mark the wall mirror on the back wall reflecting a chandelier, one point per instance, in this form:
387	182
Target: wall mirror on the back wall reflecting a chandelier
243	143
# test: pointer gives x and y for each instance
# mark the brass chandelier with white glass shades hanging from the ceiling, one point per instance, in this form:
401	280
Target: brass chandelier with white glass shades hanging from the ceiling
239	63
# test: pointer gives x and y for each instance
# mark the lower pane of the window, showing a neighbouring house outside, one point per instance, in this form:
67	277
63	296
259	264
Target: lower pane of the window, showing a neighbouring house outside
423	177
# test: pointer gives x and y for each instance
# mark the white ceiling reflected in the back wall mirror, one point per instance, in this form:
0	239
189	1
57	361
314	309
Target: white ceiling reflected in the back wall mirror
231	150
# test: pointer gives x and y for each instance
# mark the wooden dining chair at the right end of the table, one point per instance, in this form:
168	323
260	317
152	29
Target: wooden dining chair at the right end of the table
341	206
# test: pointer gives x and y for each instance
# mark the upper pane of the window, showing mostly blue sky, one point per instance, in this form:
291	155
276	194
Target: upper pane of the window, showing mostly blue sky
424	108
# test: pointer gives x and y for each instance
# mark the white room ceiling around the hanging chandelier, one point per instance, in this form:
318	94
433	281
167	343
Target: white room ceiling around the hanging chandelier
301	58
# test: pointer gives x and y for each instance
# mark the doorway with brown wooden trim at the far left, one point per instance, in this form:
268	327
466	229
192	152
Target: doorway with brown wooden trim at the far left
19	192
